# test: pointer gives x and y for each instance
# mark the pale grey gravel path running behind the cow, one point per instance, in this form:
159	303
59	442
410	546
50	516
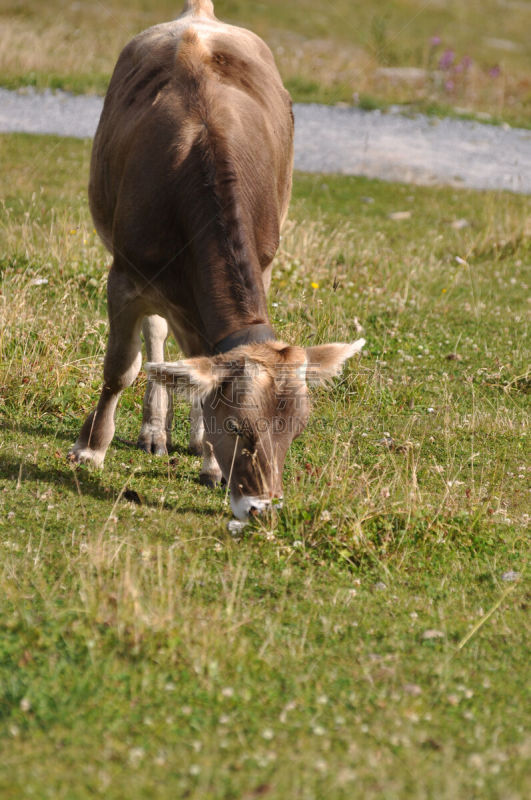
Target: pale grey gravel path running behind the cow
421	150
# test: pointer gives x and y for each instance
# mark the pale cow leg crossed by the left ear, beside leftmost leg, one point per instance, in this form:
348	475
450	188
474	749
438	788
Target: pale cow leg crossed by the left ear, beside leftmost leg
155	433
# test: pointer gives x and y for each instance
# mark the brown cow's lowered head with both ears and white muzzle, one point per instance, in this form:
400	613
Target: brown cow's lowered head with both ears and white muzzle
255	402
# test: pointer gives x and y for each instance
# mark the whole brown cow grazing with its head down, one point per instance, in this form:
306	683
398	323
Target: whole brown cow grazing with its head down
189	185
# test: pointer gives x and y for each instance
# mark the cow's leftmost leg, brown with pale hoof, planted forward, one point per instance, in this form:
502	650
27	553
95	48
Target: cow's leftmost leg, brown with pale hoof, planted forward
122	363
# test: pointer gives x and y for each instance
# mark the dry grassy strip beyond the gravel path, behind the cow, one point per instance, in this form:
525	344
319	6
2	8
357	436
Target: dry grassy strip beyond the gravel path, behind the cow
470	58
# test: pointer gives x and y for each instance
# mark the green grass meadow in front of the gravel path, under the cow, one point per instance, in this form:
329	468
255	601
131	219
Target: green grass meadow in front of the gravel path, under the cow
145	653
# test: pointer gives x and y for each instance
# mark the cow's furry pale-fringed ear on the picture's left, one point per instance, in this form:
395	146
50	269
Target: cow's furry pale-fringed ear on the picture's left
194	376
